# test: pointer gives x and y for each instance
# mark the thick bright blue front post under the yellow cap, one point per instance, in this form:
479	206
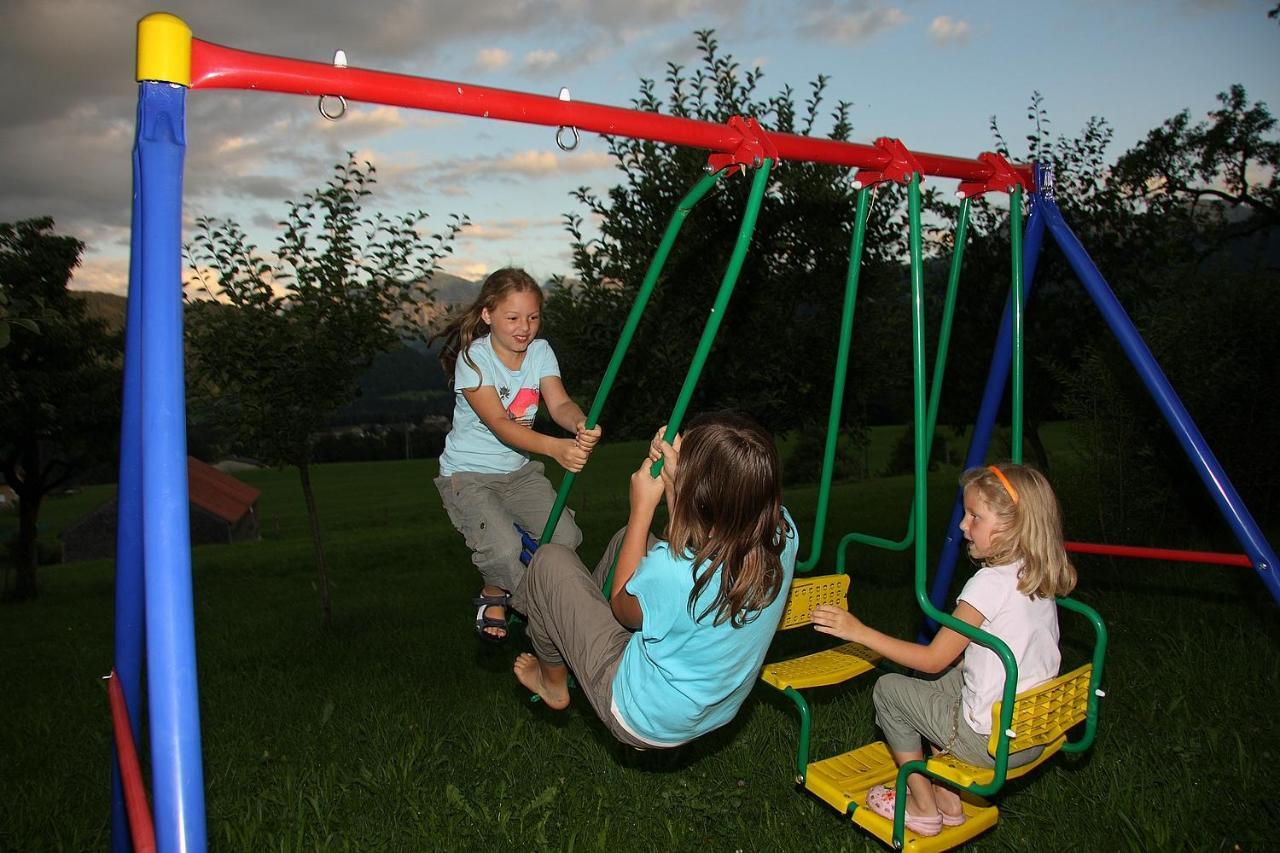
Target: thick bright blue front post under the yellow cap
177	770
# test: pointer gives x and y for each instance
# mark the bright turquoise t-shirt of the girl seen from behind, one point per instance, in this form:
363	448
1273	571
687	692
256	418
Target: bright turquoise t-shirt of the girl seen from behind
680	679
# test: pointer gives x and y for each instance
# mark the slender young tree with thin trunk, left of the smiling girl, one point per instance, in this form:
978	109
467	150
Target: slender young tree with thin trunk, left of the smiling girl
276	348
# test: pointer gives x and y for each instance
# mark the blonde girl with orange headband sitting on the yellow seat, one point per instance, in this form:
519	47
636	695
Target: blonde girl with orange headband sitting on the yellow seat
1014	530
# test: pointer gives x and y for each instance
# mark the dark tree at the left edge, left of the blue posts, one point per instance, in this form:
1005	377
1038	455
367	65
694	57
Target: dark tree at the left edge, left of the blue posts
60	389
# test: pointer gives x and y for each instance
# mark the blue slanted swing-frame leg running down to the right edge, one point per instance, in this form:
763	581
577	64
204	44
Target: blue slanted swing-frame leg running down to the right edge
1197	450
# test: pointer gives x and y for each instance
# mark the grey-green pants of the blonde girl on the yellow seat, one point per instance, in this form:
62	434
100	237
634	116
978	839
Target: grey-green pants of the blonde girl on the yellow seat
907	709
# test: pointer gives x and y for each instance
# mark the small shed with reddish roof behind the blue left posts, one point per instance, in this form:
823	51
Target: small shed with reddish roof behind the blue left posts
223	510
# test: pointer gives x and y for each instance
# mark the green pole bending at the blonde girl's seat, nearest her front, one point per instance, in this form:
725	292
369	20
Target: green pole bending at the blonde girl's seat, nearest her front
921	509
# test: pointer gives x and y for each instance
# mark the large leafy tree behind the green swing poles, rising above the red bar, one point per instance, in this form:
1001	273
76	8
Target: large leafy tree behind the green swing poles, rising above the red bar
775	354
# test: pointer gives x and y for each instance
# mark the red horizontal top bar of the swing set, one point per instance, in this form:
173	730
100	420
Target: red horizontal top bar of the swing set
218	67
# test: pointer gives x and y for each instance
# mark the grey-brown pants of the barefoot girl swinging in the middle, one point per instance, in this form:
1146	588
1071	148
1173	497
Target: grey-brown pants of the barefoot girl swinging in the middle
572	623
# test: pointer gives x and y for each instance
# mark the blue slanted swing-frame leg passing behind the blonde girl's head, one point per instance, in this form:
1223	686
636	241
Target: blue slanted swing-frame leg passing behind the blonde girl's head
985	423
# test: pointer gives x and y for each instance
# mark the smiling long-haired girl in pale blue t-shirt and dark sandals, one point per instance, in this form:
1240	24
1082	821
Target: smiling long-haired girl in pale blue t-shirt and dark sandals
487	480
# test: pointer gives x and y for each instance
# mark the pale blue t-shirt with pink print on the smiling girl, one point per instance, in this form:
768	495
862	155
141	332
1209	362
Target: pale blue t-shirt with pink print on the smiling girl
472	446
